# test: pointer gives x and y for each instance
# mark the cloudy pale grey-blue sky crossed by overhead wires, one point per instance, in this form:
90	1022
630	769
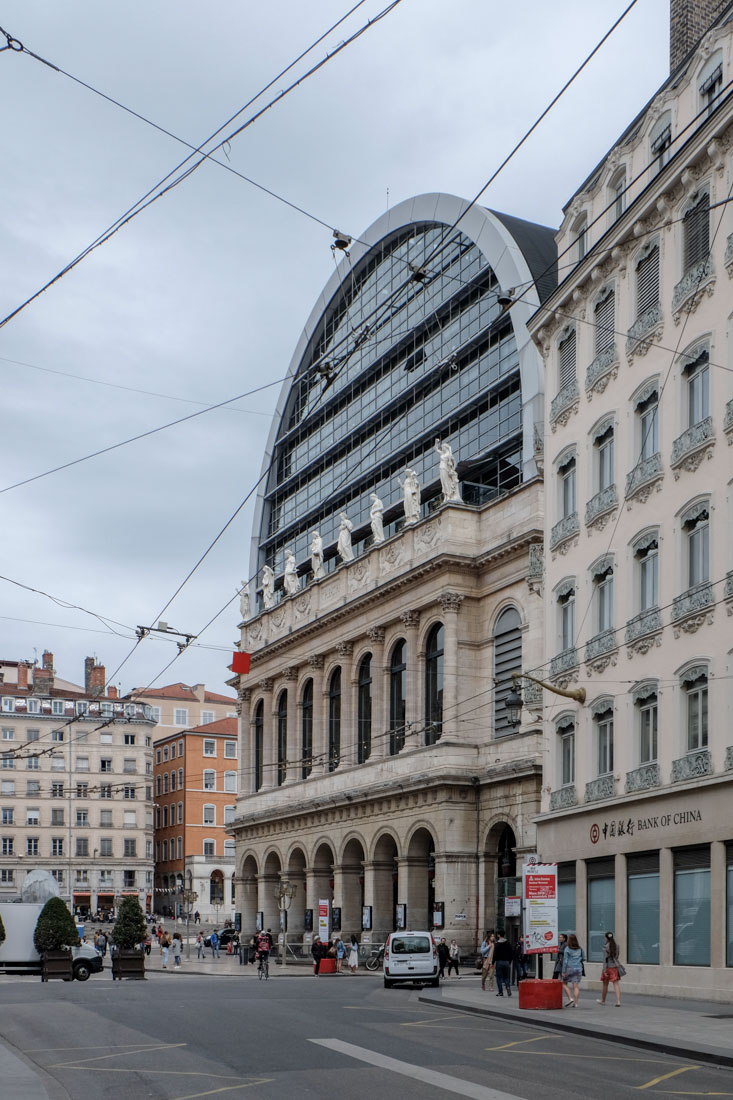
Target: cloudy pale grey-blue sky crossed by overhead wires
205	294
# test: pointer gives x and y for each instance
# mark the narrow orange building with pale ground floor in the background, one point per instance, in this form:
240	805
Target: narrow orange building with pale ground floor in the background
195	790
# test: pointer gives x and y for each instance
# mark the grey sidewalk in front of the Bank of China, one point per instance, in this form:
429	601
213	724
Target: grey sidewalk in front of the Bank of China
702	1031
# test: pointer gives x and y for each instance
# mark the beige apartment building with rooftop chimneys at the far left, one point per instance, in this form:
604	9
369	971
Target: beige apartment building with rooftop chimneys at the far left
76	787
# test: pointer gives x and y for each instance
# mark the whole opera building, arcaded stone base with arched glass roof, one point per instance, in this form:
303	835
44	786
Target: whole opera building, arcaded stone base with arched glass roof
379	772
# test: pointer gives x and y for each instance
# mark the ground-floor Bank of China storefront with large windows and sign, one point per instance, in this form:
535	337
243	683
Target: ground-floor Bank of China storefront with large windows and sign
659	873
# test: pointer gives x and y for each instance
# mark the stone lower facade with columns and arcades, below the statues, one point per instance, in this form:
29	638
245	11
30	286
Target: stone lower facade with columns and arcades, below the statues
378	769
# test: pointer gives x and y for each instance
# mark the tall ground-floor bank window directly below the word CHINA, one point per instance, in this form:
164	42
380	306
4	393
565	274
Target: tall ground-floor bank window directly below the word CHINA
693	907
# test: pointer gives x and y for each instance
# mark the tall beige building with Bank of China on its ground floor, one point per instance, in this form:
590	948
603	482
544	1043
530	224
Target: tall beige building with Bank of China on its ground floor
639	579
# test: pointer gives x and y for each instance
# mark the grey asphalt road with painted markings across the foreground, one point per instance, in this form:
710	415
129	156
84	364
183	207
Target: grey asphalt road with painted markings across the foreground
181	1037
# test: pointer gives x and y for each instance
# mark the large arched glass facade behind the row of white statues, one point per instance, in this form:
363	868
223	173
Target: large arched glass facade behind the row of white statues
437	359
